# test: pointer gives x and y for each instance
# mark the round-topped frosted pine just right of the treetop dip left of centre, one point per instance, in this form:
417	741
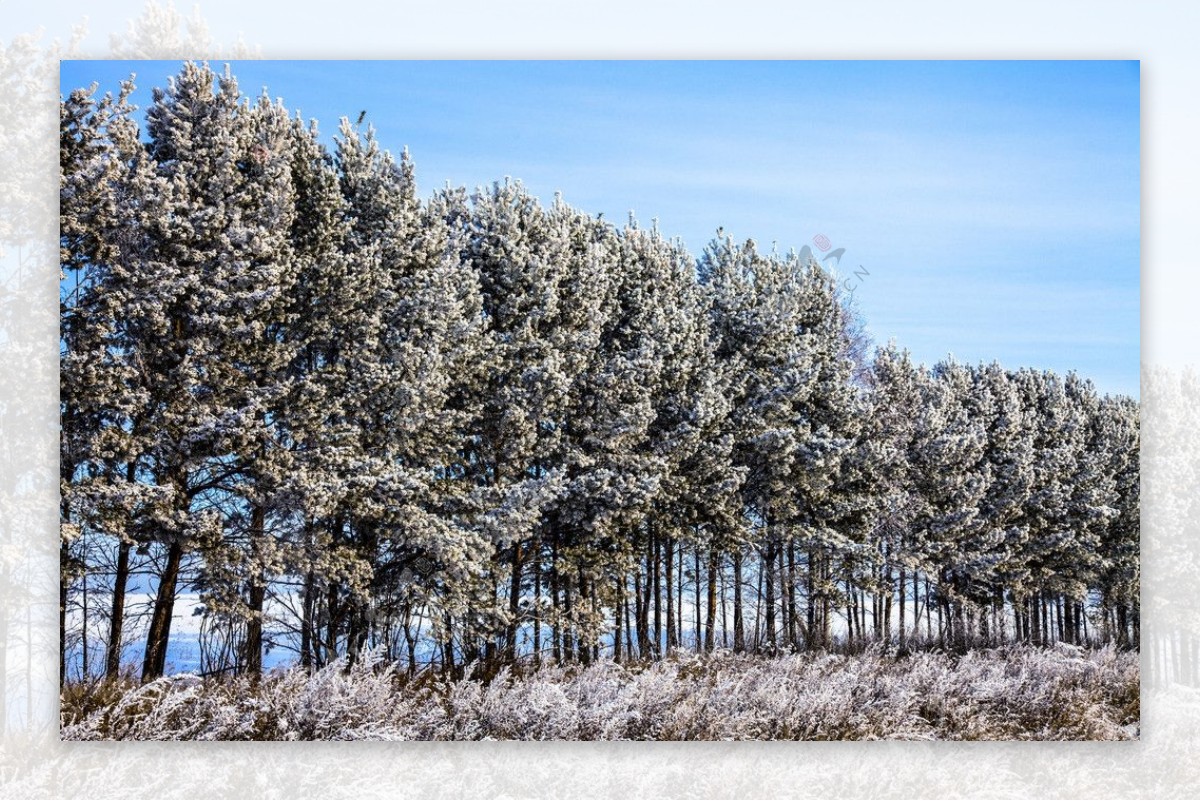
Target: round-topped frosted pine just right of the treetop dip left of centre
539	332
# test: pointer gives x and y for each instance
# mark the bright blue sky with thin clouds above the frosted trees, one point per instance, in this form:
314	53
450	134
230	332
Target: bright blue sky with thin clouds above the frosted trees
991	208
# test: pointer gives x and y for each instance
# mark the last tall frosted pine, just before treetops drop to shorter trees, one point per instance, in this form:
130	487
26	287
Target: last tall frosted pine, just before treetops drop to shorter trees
782	332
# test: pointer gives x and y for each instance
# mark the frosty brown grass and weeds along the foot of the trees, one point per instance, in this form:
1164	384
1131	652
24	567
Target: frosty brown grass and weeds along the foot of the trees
1012	694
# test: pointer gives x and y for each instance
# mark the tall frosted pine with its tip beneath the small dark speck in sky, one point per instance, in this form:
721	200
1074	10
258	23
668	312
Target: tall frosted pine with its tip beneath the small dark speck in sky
417	317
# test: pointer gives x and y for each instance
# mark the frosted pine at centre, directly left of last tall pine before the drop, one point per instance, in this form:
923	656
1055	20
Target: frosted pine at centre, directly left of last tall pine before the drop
633	423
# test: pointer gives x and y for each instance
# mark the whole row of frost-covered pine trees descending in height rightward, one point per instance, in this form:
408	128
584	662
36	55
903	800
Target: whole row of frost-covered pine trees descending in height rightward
473	429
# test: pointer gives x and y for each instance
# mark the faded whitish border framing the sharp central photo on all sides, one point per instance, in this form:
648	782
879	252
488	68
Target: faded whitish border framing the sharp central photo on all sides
35	764
